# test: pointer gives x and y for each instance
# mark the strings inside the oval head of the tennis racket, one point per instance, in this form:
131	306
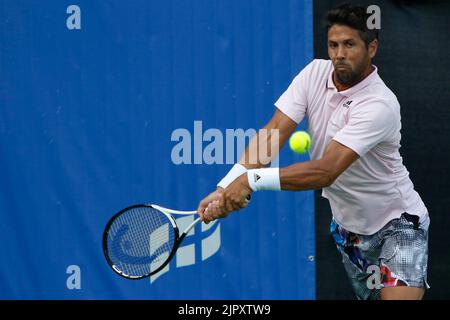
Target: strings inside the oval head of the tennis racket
140	241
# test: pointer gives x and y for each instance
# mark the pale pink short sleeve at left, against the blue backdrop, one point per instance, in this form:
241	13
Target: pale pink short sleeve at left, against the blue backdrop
293	101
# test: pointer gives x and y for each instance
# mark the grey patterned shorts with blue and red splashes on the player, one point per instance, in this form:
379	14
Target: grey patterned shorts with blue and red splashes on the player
396	255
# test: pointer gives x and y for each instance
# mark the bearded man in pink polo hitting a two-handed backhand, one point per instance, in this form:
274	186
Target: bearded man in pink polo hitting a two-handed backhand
379	220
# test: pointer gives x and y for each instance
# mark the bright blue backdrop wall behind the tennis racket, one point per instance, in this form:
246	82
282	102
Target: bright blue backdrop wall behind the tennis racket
90	97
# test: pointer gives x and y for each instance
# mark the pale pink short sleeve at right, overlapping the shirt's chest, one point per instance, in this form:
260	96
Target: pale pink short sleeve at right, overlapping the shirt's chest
368	125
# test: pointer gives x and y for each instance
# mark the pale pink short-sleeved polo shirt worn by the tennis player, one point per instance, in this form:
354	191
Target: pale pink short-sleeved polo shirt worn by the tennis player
366	118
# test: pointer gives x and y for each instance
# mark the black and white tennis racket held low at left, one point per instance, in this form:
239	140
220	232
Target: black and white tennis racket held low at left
140	240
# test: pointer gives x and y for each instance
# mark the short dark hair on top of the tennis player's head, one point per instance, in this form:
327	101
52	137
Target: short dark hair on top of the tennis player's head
354	17
